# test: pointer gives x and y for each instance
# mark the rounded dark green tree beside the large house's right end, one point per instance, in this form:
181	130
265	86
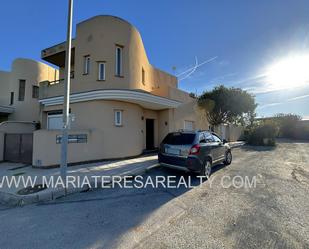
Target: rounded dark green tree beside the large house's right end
228	105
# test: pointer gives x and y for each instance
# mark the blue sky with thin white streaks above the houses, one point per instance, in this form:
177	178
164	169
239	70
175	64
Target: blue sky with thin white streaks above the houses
242	40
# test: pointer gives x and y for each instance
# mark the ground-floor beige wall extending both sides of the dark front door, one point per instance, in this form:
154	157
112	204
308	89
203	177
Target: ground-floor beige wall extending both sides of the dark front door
105	140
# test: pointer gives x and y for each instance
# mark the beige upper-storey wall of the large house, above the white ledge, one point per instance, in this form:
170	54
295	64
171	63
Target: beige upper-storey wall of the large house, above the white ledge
98	37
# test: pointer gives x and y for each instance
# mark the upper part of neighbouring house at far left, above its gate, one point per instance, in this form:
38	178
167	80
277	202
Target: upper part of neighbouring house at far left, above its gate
19	89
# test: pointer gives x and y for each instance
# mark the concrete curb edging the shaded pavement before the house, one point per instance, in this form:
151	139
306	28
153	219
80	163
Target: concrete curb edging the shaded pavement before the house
15	200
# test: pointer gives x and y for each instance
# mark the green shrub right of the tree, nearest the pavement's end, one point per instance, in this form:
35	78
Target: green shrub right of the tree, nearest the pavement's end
261	135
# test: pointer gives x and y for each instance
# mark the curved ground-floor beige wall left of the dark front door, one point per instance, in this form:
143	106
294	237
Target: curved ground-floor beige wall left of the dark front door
105	140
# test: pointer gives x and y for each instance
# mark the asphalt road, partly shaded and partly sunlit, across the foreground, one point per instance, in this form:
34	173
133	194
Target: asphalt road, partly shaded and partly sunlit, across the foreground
223	212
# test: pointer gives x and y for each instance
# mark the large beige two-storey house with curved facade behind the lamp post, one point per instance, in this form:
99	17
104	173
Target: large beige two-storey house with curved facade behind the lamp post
120	106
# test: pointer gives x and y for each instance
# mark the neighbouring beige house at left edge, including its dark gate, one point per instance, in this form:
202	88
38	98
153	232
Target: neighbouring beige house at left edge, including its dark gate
20	108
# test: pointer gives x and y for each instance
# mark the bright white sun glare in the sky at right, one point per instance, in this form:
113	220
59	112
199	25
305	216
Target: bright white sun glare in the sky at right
292	71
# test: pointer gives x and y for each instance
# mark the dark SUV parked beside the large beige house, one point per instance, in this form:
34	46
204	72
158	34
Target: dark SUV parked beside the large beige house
195	151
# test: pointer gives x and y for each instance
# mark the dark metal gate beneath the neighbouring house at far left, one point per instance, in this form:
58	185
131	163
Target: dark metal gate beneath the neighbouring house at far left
18	148
